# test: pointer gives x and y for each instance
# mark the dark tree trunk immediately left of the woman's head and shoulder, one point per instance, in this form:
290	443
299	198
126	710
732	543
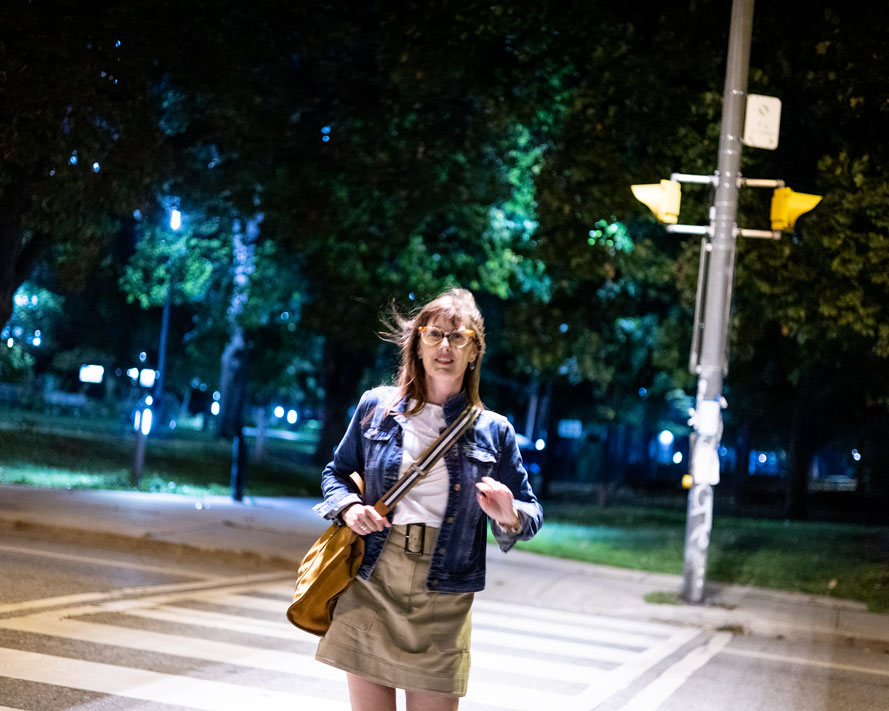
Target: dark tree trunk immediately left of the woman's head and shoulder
343	366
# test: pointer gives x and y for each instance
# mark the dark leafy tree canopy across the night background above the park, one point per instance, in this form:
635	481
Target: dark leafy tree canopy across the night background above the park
394	151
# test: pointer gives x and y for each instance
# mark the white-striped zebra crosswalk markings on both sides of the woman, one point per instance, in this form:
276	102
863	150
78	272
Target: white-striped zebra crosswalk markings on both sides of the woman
524	658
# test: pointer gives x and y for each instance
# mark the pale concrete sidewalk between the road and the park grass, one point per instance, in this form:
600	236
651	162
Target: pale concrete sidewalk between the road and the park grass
281	530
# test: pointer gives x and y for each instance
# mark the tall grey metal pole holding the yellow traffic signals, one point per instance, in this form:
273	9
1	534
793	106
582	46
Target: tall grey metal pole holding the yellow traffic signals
714	304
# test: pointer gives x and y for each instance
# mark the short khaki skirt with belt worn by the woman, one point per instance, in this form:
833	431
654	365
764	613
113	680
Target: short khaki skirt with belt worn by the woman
391	630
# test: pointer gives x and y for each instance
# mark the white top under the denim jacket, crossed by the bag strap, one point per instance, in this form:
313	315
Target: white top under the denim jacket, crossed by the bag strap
427	499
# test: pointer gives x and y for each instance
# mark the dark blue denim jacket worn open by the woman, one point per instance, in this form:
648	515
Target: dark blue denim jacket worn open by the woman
372	445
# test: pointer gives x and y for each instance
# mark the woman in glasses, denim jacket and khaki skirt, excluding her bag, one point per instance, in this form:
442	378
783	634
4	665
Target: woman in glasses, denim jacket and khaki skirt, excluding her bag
405	621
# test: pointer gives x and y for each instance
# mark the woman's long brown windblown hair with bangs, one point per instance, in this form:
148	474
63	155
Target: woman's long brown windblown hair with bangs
456	306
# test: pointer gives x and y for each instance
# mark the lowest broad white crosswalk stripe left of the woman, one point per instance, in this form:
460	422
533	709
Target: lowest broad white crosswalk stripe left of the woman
152	686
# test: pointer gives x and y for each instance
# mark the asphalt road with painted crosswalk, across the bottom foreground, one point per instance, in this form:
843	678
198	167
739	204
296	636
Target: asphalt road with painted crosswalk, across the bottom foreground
95	625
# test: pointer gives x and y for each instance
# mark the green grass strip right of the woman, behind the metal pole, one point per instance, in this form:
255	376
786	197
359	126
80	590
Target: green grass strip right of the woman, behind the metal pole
831	559
